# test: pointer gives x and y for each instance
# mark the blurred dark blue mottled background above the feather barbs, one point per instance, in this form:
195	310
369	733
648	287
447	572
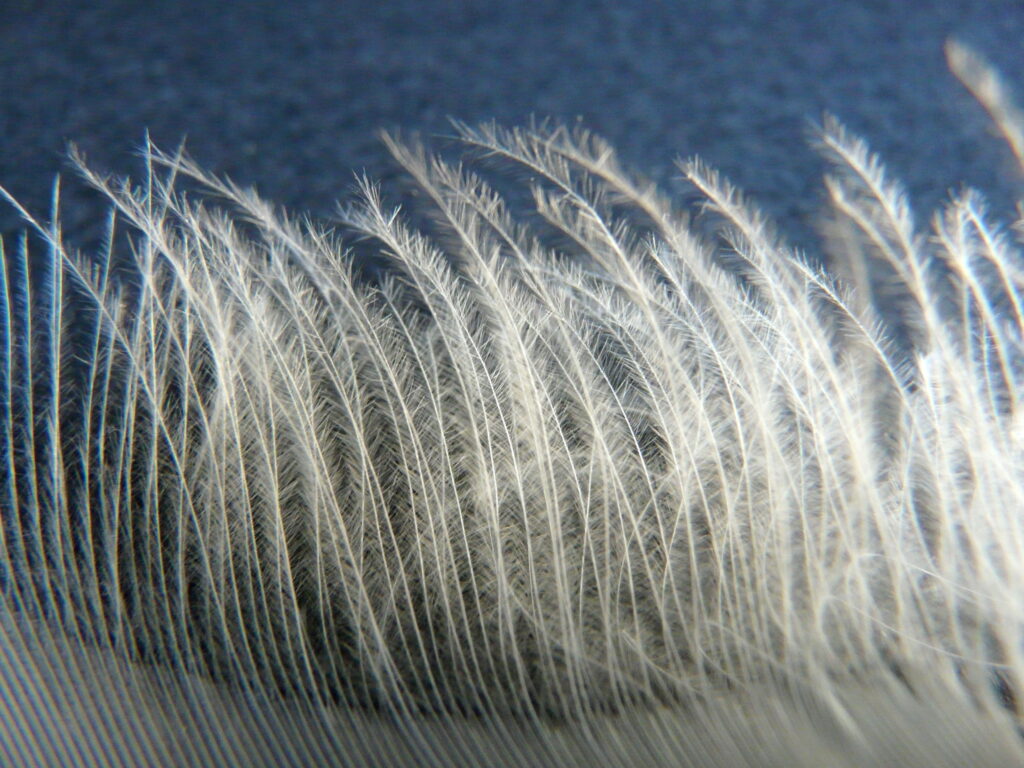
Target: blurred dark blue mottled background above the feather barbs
289	97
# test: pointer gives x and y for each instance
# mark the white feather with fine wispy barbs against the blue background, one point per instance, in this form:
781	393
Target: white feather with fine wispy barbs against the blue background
600	482
